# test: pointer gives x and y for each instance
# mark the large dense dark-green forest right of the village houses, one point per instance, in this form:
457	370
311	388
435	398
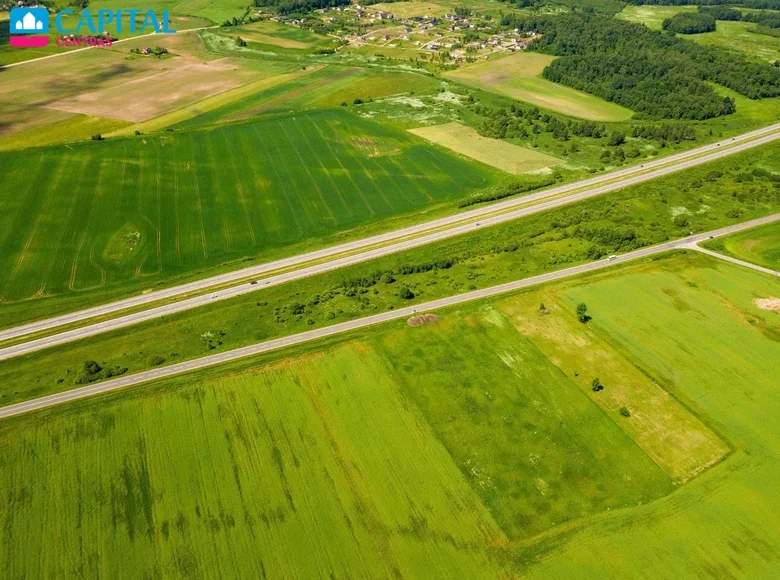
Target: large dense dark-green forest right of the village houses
648	71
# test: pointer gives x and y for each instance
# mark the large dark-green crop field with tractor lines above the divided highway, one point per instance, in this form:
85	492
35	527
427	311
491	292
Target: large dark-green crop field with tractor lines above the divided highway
88	216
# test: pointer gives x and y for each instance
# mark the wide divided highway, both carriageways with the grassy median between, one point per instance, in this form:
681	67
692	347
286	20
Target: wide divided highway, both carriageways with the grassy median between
373	247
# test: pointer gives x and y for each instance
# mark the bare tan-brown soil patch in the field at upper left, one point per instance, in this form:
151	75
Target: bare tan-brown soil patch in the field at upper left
151	96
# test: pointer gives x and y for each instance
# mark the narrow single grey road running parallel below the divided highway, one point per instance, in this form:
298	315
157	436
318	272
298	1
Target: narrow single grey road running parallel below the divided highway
232	355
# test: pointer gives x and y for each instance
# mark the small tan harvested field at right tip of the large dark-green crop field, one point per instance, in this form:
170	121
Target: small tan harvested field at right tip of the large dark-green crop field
494	152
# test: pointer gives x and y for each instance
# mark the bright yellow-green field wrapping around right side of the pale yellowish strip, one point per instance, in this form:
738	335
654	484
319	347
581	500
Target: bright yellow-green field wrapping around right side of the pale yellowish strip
690	324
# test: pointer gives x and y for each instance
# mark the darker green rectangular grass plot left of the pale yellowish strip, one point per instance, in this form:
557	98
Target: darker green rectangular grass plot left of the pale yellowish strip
536	450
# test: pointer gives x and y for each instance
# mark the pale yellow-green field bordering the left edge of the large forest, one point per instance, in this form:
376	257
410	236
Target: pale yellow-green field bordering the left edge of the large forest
518	76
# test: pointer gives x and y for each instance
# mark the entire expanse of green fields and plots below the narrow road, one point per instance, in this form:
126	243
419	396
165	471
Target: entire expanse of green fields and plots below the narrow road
472	446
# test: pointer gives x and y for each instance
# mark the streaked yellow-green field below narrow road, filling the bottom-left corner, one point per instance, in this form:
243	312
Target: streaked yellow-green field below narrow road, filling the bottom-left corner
311	468
